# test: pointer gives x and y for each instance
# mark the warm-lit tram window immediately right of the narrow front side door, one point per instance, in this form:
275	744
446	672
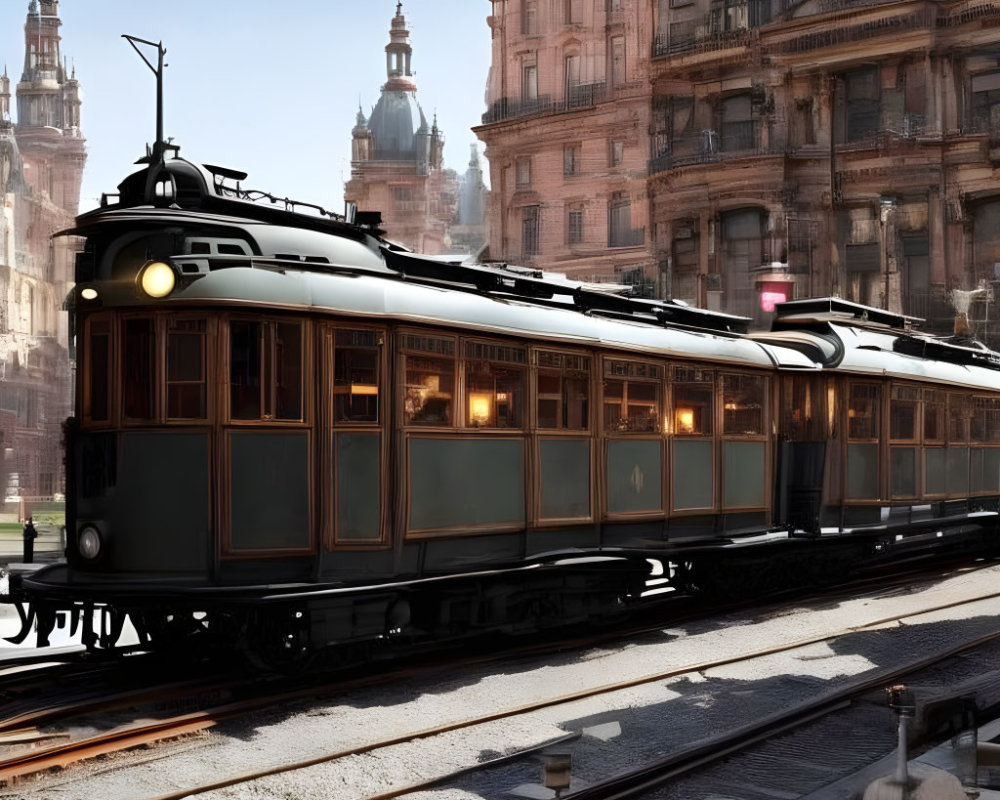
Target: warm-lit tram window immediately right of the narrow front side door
430	380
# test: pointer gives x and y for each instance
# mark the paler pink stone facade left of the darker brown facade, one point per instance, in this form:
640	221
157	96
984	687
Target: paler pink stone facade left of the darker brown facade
567	137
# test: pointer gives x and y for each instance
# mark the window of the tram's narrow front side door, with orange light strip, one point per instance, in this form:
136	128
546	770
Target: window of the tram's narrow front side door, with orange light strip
355	376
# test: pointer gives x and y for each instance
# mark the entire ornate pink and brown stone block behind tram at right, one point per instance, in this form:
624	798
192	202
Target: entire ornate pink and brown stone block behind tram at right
770	149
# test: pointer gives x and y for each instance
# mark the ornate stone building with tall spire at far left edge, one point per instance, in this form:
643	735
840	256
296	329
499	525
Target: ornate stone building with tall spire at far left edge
42	157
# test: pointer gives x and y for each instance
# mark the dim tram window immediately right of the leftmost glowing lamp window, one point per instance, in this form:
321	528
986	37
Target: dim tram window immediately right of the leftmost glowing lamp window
563	383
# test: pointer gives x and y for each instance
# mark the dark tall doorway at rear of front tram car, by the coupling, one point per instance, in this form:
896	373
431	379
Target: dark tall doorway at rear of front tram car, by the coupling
803	436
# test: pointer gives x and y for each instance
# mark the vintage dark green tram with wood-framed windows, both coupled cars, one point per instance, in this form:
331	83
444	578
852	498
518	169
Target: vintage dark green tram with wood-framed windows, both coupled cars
291	433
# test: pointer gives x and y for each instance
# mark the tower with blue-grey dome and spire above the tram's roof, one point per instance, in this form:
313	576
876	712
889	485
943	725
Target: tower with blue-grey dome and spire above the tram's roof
396	157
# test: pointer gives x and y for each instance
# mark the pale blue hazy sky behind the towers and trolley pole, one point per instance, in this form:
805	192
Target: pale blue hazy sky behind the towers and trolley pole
267	86
